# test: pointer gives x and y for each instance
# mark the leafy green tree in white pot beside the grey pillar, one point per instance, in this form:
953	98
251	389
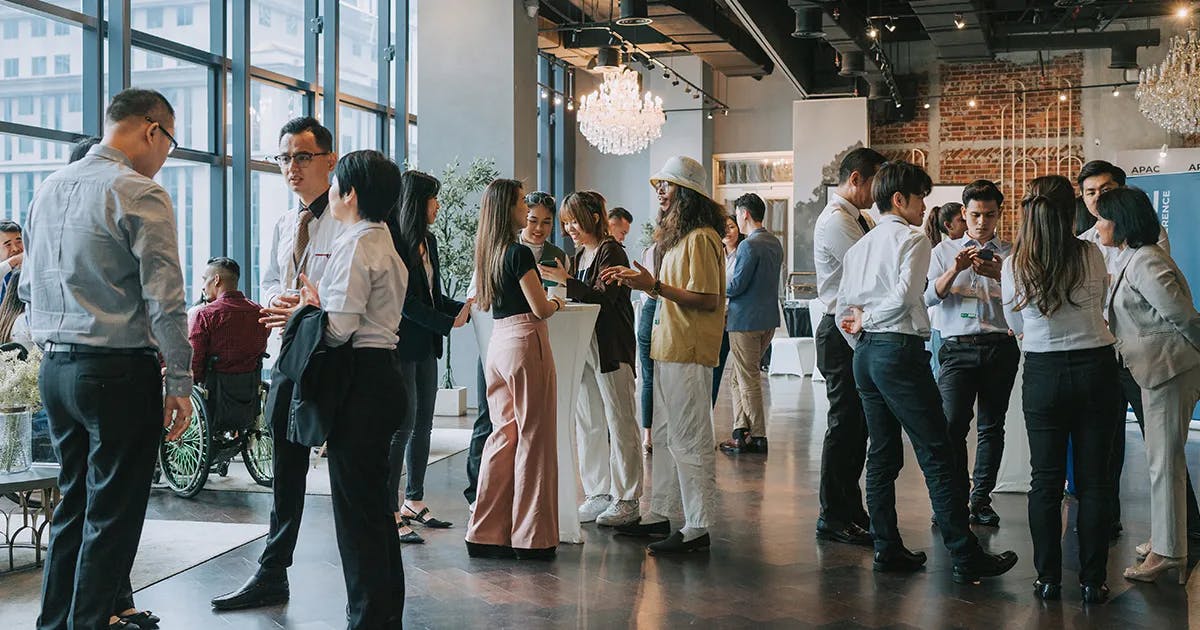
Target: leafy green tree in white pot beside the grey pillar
455	231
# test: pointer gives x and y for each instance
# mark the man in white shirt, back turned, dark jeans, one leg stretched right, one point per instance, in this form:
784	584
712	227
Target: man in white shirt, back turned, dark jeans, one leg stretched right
881	298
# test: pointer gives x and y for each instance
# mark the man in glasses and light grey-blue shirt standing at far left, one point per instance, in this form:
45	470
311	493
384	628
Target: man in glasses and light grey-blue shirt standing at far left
105	293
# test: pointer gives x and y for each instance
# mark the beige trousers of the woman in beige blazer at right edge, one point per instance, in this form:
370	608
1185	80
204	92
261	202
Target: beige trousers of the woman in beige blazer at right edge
1168	413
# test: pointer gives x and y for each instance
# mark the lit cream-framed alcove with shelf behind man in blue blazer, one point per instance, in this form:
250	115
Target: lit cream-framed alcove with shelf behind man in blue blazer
767	175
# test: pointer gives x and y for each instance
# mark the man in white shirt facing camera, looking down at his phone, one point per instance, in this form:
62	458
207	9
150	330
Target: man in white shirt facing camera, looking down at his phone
980	356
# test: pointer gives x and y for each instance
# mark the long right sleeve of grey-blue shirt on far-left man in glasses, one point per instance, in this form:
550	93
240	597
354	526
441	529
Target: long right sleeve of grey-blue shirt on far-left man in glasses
151	225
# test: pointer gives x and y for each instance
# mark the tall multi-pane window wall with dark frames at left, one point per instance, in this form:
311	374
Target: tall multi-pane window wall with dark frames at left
55	89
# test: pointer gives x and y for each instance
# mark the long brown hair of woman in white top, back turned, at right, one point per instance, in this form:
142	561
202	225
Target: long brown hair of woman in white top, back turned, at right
1048	261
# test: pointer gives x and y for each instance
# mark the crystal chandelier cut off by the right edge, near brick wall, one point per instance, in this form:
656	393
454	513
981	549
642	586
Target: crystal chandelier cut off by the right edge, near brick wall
1169	95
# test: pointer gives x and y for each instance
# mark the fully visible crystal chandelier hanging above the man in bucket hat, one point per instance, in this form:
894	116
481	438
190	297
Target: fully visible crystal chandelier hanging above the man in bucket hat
617	118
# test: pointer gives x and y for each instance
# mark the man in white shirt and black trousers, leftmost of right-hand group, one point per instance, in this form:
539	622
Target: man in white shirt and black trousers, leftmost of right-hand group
844	453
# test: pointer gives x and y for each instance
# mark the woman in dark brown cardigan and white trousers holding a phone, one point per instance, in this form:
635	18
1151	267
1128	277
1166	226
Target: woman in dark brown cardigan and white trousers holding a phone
605	421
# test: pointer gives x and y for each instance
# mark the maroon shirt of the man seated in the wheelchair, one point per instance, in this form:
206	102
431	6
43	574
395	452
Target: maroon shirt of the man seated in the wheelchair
229	329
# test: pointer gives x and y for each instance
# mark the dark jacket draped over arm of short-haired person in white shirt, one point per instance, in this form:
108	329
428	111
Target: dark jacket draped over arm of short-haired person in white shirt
310	381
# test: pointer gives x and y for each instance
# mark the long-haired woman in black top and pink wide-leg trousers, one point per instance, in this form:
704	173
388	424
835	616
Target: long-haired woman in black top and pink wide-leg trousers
517	505
